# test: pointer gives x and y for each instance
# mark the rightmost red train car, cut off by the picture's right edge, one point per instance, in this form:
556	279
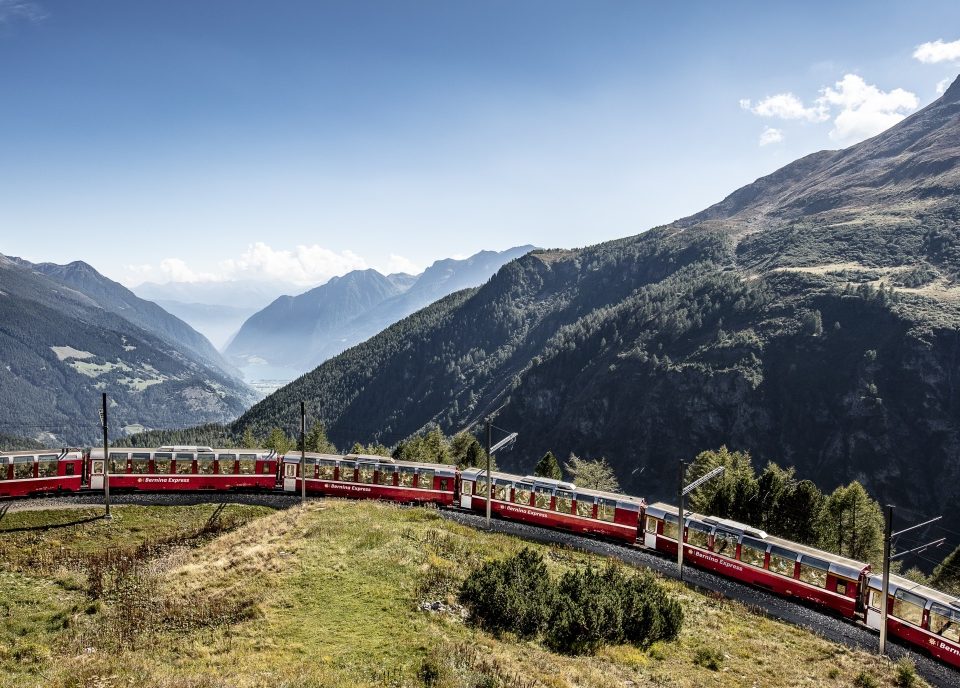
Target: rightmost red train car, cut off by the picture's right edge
918	615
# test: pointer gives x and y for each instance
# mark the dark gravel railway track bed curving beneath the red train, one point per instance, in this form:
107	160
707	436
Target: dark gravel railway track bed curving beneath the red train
832	628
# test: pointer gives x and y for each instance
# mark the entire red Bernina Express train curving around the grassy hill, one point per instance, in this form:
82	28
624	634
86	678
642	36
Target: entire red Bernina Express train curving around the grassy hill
917	615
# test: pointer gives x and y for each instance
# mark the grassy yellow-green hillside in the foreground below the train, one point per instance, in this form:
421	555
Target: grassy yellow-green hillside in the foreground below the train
329	596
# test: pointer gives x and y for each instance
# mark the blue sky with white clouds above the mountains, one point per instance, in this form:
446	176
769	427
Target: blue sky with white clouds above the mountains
297	140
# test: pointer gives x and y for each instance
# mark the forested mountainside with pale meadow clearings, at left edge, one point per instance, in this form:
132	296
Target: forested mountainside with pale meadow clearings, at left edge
67	334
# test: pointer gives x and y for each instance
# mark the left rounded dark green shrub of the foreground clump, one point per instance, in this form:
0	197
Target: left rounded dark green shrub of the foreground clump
510	595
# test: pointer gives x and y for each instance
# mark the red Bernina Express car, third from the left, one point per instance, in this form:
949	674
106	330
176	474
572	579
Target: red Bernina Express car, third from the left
362	476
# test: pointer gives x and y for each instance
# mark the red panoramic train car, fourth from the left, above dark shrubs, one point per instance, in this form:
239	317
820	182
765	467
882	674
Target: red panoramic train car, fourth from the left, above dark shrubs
553	503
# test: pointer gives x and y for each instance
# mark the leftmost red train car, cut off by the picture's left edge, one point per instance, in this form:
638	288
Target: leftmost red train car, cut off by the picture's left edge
24	473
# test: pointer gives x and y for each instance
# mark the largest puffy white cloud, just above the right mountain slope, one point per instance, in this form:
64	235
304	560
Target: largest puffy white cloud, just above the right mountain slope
865	110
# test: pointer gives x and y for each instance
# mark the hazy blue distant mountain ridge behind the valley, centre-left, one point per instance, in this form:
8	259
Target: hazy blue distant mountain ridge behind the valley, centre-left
300	332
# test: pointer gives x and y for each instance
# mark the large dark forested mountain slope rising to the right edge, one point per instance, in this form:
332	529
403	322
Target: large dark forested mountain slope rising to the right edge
812	318
